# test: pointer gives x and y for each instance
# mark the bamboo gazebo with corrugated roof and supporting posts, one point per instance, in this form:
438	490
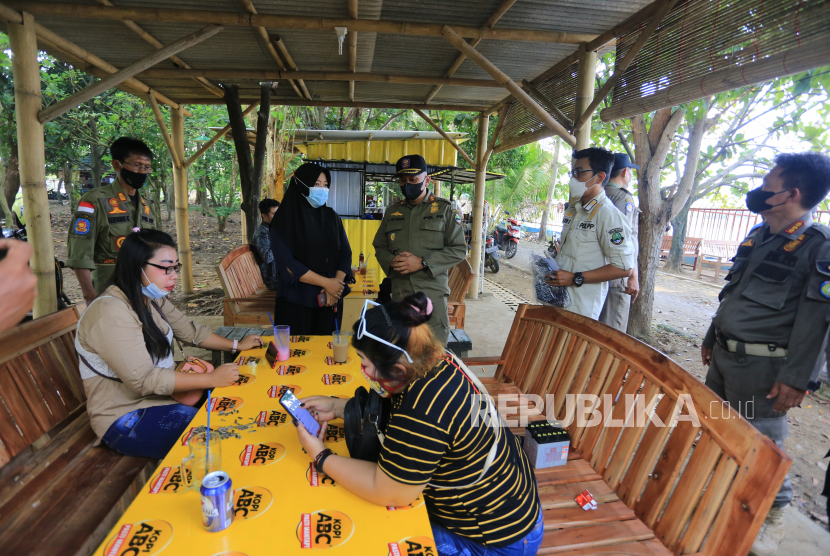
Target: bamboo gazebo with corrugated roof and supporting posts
531	62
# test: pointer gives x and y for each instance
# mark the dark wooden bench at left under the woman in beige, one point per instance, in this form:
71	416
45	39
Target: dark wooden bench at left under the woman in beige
58	493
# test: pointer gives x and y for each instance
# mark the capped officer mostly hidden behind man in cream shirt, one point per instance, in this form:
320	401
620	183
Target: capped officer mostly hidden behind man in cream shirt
623	291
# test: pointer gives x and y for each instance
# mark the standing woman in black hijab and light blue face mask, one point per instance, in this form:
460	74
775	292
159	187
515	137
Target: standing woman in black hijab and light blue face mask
312	253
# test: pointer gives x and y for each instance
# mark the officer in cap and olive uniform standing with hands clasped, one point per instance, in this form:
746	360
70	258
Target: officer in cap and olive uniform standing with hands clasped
419	240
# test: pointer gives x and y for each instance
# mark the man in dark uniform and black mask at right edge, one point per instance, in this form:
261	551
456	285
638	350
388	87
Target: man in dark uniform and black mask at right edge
767	332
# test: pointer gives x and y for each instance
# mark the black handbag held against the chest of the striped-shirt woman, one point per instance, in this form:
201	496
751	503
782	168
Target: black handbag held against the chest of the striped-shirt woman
364	419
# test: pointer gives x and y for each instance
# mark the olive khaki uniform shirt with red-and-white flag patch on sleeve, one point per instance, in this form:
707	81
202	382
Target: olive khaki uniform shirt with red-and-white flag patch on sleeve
104	217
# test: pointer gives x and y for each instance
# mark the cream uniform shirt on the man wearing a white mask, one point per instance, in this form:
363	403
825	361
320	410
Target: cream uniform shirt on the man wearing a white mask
593	236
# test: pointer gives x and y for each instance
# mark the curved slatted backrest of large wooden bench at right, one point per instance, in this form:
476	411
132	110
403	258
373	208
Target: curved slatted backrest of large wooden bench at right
714	482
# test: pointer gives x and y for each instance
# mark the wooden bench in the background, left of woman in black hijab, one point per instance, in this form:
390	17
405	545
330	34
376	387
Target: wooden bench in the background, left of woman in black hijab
247	300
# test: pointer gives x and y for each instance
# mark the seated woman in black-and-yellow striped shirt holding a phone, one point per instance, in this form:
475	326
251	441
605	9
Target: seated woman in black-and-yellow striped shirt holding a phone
432	446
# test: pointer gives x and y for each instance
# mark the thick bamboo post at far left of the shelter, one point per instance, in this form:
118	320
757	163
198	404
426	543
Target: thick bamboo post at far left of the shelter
27	100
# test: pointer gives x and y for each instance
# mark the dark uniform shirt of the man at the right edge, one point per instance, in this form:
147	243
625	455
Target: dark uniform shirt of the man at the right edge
779	293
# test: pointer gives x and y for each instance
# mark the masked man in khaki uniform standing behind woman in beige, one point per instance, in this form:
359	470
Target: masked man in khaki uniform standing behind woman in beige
107	214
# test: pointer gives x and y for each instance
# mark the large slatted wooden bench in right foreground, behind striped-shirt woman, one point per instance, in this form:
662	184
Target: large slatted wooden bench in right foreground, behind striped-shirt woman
684	490
